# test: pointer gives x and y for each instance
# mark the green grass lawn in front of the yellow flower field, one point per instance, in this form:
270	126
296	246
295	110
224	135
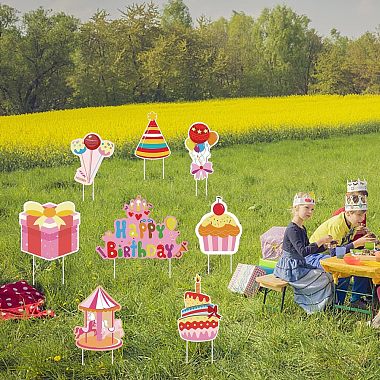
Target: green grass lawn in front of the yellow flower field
258	183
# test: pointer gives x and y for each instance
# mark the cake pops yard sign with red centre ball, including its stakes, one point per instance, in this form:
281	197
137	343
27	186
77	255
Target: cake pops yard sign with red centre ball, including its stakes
91	151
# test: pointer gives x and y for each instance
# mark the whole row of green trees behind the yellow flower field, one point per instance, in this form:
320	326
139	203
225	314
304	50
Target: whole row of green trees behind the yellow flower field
53	61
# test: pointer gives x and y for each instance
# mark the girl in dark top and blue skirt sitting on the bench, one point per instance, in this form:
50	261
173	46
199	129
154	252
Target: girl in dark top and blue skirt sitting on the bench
313	287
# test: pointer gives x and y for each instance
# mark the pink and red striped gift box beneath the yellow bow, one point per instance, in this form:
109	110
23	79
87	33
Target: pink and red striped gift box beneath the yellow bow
49	241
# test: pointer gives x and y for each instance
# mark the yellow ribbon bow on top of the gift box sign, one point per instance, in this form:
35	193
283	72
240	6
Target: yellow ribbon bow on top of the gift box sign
36	209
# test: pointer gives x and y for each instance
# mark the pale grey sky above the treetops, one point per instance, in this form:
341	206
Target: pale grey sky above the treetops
351	18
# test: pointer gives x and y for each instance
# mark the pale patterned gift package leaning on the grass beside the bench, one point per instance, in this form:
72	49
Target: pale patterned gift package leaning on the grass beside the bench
243	280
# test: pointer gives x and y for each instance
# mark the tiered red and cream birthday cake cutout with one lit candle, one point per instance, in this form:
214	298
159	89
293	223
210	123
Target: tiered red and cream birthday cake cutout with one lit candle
199	320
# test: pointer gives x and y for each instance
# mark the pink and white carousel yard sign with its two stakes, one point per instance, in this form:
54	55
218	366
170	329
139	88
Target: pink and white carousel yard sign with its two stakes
101	331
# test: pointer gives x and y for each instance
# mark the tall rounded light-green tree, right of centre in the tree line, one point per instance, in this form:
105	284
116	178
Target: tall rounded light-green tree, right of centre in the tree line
287	49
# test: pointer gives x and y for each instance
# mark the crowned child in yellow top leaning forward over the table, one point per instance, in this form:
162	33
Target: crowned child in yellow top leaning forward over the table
339	227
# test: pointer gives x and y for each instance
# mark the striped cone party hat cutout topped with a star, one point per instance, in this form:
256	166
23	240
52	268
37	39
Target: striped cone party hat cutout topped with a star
152	145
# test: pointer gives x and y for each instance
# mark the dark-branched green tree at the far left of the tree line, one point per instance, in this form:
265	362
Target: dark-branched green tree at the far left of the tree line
39	57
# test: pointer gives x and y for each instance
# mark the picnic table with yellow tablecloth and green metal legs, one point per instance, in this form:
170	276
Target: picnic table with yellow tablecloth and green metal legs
340	269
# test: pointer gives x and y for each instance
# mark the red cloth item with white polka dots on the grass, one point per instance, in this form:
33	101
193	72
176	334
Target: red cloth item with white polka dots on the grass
20	300
